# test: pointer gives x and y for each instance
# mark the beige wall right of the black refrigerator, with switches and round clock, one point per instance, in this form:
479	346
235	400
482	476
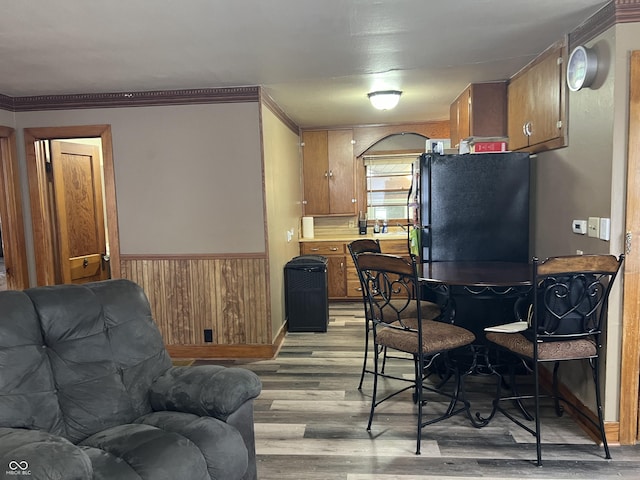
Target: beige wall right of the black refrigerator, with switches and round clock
588	178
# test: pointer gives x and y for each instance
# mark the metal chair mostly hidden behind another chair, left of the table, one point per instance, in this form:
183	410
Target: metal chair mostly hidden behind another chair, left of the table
429	310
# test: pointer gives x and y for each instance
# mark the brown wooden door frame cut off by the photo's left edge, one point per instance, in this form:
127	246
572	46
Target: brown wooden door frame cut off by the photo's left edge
15	253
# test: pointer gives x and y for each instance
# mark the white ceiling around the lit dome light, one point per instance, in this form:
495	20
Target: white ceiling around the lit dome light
316	58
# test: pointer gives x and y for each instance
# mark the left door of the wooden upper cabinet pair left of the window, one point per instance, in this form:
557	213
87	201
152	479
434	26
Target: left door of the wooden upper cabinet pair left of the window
315	170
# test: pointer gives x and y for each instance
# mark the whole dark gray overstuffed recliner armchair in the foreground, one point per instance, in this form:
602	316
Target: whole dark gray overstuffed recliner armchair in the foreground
88	391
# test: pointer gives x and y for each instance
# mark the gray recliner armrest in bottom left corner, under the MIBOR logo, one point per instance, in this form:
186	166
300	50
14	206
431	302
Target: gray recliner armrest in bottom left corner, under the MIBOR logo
40	455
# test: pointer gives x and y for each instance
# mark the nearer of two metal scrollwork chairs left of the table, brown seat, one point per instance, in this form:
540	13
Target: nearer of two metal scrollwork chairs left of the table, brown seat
391	286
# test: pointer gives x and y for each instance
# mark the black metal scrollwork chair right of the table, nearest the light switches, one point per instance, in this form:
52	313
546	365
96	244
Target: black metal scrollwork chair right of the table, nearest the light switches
568	307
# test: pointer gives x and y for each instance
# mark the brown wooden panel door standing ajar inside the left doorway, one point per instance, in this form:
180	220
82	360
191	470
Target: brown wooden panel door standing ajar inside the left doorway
78	212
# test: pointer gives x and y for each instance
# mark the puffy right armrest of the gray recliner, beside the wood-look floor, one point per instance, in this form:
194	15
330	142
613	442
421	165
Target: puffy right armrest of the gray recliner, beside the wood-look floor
204	390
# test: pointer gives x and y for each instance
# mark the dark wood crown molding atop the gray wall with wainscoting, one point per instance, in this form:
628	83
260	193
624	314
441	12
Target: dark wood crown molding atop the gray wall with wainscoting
131	99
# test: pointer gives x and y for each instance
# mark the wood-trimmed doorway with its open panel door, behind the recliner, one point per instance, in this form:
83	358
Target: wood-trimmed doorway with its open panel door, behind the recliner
73	204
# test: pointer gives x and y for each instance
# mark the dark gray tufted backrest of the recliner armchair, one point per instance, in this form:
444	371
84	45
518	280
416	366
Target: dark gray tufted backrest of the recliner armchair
78	358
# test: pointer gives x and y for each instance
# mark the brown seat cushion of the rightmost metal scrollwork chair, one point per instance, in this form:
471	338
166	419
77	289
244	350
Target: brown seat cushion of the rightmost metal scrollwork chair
547	351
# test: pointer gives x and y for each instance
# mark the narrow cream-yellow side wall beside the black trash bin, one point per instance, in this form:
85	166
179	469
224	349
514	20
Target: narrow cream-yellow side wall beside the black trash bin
284	209
